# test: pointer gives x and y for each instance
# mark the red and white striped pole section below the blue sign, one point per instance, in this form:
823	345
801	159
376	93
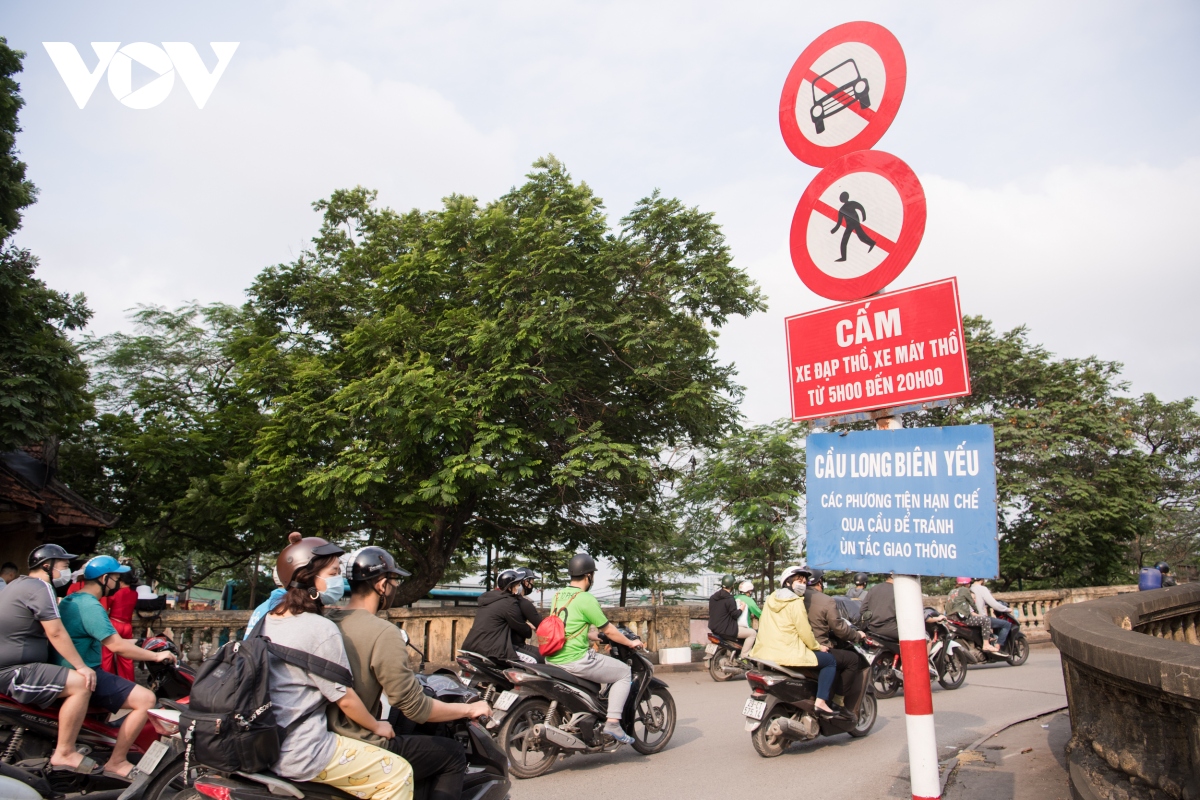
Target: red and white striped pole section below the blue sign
919	697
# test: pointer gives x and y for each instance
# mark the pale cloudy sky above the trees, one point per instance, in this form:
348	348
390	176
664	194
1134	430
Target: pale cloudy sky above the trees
1059	178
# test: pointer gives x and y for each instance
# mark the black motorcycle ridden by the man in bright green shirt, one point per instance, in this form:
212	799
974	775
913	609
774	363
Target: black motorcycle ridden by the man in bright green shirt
550	712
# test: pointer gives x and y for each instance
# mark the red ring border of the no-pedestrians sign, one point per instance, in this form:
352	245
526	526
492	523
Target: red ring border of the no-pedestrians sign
913	230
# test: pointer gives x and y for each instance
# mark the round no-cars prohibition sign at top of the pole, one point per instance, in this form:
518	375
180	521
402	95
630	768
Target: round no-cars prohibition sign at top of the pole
843	93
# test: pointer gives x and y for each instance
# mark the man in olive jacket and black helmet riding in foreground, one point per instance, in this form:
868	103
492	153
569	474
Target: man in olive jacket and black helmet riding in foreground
379	657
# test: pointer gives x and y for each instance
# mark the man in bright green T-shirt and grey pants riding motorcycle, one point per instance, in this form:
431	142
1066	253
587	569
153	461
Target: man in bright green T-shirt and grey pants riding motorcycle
577	658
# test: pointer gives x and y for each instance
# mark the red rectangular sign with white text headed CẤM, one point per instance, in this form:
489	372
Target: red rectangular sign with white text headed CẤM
889	351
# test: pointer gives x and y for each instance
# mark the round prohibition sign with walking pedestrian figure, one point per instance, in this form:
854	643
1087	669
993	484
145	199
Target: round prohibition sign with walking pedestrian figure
857	226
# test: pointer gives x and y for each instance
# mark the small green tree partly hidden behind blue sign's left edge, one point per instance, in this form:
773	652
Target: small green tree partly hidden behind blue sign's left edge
747	497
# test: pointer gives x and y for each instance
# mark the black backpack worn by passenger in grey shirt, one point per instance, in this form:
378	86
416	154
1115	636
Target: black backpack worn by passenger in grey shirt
230	724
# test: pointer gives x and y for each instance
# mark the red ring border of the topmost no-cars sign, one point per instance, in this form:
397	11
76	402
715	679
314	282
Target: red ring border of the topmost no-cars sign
884	43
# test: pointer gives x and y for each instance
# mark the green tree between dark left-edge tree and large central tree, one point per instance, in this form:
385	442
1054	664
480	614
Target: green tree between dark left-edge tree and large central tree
170	450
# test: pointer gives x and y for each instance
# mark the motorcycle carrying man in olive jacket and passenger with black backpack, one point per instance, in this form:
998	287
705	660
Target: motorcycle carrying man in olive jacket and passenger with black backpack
488	774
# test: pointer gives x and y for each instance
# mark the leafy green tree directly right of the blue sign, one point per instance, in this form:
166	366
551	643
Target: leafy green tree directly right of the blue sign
1075	489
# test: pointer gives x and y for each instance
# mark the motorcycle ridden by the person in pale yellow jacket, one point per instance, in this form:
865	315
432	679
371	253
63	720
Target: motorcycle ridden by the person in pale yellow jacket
782	711
